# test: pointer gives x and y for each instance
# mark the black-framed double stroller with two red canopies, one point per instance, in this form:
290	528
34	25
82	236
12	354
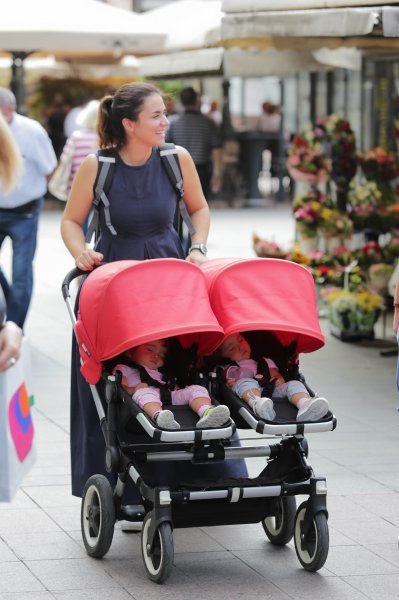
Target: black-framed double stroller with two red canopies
128	303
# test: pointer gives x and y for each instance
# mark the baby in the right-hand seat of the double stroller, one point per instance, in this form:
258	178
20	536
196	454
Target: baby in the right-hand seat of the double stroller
241	377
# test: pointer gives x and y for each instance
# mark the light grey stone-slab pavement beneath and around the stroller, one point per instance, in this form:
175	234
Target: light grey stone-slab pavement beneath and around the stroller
41	552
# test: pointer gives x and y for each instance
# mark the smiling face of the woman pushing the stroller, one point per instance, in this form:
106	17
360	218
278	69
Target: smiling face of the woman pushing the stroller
151	126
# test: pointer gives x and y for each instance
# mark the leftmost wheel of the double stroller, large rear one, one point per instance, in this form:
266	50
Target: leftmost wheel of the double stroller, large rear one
97	516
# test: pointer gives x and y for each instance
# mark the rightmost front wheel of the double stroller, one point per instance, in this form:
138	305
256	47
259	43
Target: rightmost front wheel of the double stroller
311	550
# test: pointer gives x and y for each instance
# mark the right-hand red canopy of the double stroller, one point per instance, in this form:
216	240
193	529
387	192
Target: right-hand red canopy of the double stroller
265	294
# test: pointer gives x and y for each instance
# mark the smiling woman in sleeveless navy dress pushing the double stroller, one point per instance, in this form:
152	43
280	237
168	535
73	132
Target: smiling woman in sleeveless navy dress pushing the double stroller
142	207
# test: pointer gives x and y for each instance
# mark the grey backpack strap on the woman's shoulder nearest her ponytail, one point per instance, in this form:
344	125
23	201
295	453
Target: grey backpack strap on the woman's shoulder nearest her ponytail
105	172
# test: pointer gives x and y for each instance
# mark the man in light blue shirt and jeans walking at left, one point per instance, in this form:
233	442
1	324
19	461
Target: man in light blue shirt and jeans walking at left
20	208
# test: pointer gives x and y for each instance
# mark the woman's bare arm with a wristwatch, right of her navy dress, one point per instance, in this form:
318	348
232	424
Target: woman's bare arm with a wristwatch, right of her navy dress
197	206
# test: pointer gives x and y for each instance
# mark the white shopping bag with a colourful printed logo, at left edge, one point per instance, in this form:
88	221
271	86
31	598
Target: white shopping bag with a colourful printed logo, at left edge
17	447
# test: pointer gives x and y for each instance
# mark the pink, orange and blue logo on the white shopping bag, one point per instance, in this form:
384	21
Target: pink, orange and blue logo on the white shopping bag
20	422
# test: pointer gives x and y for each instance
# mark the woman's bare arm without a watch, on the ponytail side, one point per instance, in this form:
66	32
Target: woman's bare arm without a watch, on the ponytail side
77	209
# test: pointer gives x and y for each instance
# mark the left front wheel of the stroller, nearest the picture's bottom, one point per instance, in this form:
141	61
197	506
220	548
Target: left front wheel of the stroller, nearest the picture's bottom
158	561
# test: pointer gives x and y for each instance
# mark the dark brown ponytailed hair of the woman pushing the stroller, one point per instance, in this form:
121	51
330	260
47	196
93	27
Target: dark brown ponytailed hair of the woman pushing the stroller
126	103
